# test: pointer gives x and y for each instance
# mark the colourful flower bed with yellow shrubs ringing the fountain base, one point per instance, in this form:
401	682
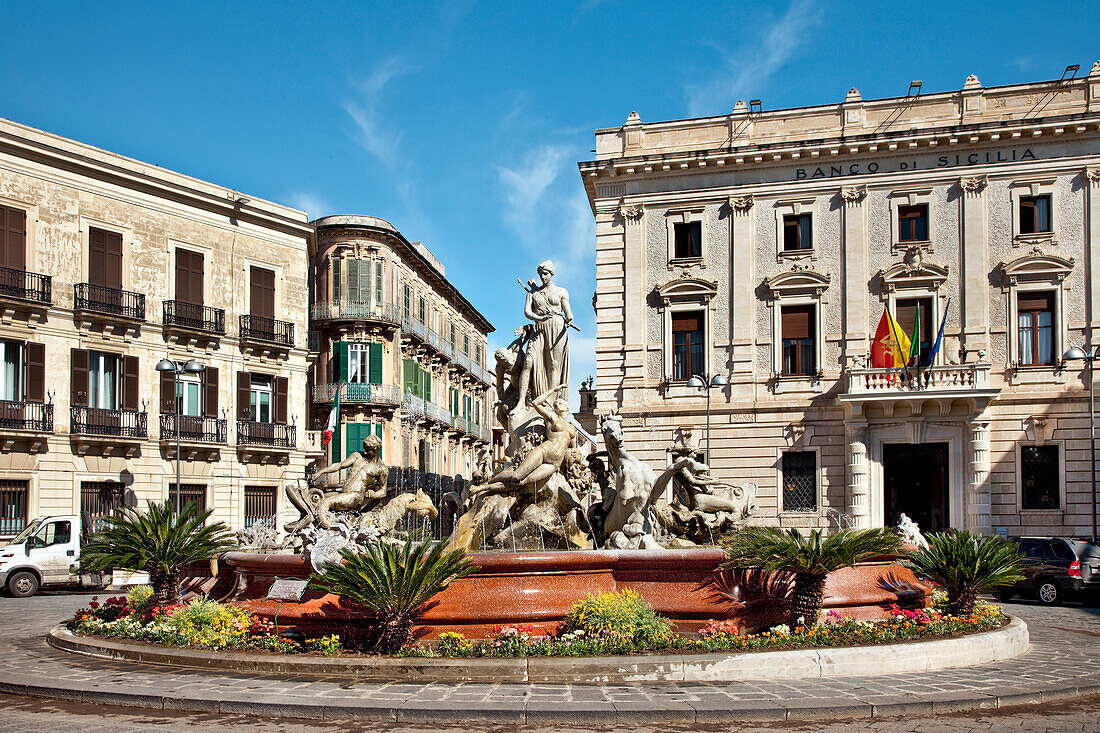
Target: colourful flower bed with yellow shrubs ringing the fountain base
607	625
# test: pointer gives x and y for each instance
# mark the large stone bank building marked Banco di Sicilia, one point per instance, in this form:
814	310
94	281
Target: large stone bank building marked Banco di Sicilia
765	246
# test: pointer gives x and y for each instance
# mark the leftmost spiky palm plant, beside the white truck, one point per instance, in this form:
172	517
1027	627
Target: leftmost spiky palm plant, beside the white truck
158	542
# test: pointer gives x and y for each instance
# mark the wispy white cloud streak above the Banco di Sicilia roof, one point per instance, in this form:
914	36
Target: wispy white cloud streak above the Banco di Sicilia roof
746	73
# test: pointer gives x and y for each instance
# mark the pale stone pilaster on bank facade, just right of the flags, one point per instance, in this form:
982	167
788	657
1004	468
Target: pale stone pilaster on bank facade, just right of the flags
975	282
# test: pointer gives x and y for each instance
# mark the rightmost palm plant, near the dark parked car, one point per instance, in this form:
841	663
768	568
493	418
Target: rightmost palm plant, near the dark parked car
966	565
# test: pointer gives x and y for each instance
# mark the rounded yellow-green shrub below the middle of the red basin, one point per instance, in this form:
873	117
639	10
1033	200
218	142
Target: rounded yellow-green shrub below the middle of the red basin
624	615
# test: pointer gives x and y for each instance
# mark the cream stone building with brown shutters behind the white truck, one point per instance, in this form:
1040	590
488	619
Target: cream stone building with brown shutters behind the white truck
111	266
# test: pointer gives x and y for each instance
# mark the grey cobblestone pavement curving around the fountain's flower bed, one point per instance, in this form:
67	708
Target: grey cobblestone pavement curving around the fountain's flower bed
1064	660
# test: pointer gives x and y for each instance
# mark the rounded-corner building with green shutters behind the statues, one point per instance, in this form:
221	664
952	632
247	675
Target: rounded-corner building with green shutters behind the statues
404	347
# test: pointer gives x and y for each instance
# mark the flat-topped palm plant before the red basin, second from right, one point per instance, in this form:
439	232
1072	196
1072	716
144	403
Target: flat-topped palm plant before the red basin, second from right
810	560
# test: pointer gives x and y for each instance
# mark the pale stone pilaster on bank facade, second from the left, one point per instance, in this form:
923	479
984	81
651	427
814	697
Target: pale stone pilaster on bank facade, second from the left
742	281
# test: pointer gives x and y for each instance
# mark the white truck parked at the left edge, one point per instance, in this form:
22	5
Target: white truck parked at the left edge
47	553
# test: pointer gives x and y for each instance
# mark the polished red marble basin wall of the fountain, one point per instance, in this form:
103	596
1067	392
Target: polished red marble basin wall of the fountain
538	589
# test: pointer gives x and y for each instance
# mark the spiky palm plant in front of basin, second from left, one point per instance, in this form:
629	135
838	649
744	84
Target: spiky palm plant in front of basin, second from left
394	583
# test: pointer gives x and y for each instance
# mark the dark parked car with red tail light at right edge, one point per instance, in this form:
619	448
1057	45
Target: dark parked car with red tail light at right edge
1055	567
